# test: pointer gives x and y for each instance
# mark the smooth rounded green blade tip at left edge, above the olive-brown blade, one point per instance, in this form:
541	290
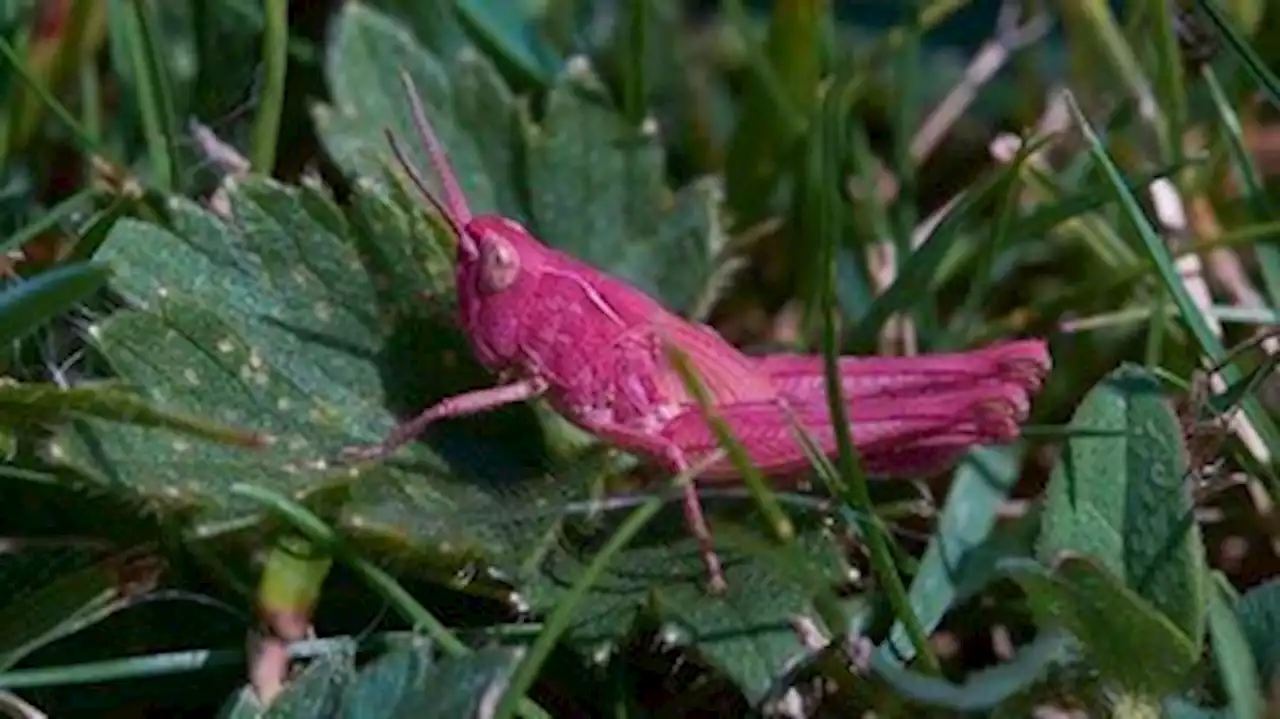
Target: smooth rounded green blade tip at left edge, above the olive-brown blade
29	305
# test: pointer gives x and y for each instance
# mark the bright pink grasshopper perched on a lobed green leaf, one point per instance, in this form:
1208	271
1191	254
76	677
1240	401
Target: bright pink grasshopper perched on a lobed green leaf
554	327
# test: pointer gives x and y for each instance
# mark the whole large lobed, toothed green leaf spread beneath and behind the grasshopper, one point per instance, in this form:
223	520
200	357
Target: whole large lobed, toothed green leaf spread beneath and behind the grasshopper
307	323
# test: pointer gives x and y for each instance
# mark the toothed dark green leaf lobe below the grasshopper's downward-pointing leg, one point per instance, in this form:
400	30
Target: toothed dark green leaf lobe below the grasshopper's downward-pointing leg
748	633
